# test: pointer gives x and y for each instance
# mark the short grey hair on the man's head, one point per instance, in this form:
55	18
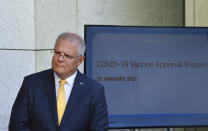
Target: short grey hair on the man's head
72	37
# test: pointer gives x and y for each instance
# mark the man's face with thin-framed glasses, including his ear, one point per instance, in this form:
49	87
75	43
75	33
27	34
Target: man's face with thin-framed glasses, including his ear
65	59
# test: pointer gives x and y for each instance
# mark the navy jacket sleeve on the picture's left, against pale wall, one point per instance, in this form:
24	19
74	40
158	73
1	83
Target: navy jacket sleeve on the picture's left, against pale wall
19	119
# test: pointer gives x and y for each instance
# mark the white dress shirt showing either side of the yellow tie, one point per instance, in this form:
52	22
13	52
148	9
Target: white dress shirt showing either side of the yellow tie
68	86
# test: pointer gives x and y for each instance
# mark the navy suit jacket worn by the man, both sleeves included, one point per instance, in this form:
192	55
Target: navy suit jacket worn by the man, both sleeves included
35	107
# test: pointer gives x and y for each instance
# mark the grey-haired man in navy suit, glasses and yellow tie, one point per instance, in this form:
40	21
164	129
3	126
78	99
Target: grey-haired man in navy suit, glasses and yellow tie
61	98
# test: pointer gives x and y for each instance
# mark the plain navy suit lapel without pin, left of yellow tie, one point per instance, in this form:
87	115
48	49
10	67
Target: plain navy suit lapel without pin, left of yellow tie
49	85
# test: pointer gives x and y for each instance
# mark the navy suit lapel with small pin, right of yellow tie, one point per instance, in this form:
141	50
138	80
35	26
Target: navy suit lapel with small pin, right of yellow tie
75	95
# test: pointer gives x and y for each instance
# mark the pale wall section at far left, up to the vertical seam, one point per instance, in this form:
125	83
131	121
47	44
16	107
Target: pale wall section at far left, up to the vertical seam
16	32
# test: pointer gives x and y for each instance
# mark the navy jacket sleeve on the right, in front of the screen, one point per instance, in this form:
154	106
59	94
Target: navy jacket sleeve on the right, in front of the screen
99	121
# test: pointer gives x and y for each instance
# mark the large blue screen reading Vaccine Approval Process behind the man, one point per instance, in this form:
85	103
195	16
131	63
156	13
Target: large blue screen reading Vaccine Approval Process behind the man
153	76
